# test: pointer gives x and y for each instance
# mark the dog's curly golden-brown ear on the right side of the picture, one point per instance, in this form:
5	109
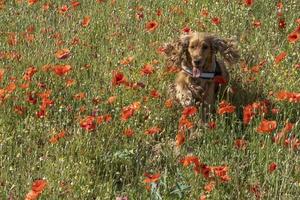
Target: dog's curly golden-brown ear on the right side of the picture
227	48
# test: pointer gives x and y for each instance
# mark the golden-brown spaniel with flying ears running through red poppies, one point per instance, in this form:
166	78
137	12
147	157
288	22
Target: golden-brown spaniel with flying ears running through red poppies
201	72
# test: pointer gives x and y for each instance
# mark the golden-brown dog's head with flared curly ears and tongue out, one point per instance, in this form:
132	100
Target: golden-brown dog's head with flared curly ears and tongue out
197	51
